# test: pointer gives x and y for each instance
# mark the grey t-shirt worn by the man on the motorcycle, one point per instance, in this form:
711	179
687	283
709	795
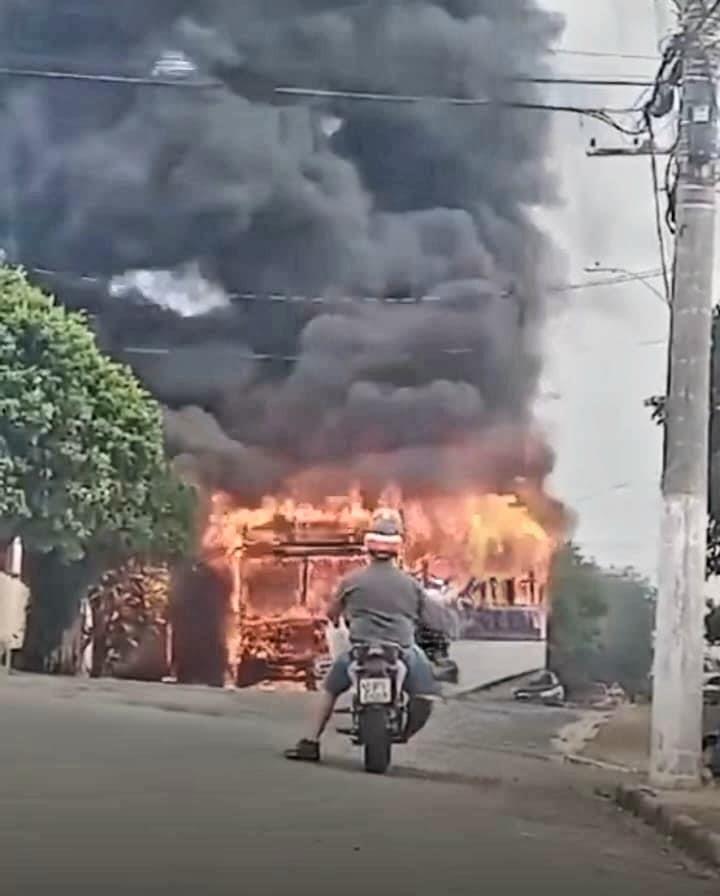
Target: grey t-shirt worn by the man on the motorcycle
382	603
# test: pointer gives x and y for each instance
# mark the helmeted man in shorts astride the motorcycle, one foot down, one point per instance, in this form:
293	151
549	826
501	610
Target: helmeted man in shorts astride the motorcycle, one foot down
380	603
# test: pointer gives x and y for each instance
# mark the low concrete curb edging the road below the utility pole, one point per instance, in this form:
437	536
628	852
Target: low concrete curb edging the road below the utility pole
687	833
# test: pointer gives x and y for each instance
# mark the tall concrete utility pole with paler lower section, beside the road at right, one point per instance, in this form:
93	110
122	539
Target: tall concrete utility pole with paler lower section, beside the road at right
678	668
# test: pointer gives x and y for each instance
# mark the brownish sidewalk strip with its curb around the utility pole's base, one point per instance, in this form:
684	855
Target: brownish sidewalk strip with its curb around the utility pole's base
624	740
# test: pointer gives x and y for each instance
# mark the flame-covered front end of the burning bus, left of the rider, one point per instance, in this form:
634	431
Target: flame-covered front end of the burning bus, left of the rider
283	562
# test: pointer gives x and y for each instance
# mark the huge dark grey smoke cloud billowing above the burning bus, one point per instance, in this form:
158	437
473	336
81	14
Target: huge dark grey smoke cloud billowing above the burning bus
242	194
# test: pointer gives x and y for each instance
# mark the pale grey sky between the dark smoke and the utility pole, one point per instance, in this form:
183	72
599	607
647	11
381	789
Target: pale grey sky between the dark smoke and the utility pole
606	347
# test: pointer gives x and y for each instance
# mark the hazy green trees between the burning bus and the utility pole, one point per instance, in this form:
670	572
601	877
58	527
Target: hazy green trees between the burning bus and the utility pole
601	623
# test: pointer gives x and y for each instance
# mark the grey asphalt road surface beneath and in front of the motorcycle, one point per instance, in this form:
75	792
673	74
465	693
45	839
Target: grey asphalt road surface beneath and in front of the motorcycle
100	797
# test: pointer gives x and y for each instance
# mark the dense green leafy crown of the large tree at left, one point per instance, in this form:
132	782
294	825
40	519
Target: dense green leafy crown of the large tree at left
82	466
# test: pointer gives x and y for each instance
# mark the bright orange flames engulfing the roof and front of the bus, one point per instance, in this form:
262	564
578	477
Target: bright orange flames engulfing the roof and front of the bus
481	537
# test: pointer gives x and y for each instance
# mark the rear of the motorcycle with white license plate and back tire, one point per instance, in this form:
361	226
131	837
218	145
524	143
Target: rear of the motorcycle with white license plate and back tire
380	705
